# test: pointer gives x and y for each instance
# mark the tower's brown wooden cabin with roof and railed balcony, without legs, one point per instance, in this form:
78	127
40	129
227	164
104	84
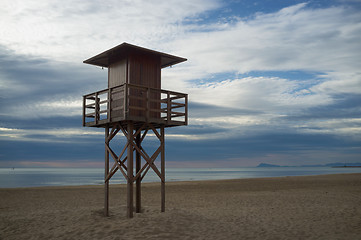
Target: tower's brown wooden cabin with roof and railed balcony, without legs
134	89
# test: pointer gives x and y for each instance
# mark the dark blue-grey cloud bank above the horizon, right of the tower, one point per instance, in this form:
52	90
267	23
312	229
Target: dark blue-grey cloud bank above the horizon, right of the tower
250	150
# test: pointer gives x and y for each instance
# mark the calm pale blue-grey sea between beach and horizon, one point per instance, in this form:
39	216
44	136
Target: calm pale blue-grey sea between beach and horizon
37	177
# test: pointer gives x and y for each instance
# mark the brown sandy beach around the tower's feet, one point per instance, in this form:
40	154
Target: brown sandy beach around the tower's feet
309	207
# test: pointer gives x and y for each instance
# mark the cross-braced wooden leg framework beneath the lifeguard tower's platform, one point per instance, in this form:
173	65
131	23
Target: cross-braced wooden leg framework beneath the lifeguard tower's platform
125	165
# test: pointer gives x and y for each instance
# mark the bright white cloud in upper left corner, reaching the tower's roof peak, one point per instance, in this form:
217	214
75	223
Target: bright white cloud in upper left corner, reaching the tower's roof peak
72	30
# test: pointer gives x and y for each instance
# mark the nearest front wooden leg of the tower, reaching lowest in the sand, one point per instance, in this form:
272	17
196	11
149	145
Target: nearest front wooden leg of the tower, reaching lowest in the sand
130	172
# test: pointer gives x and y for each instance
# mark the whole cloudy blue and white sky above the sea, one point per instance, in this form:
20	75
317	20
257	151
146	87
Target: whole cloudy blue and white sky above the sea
274	82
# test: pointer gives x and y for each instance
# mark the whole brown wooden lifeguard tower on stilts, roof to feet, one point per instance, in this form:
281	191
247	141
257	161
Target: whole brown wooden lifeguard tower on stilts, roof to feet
134	104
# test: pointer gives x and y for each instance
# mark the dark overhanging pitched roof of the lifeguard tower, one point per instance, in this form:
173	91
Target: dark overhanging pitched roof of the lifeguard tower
123	50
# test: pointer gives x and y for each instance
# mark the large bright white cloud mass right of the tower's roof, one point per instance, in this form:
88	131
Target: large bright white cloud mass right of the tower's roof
323	42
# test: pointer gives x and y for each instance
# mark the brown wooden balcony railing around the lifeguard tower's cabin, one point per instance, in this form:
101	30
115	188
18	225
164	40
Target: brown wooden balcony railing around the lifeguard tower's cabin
135	103
